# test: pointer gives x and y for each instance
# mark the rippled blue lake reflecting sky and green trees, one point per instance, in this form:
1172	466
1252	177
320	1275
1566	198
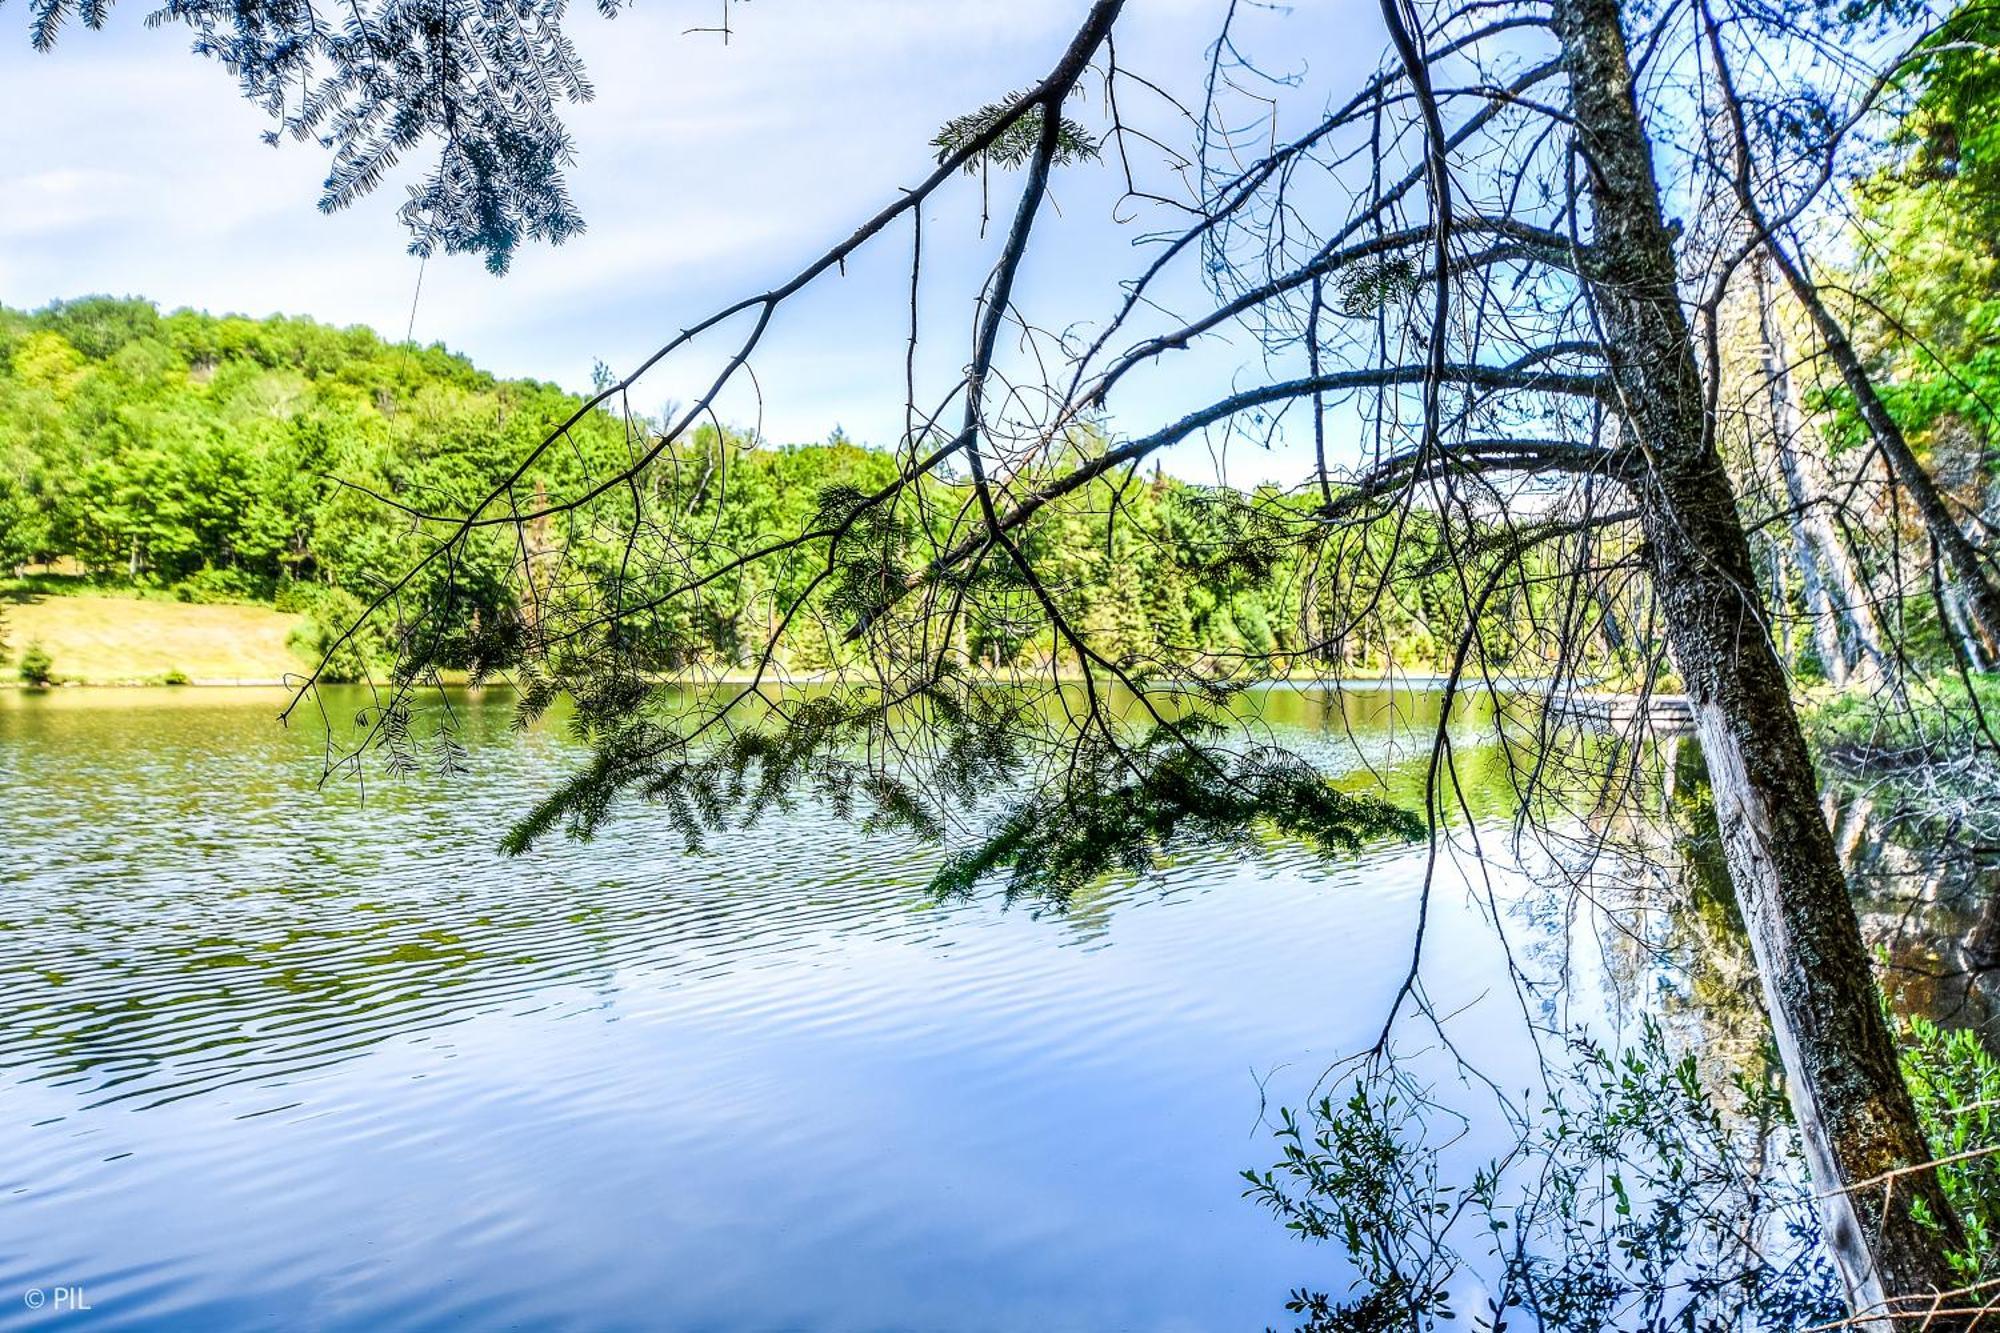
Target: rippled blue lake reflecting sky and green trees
325	1060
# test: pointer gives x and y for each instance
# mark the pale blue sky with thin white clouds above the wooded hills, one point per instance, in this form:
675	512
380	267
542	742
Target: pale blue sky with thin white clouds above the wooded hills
709	171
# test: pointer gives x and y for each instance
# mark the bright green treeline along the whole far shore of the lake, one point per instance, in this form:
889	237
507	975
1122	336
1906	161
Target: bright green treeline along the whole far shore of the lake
281	461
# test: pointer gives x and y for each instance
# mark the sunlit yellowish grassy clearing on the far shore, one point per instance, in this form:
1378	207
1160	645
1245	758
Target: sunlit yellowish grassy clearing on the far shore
141	641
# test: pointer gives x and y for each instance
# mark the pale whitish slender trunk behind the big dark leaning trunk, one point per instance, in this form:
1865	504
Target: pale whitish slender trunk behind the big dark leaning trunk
1835	591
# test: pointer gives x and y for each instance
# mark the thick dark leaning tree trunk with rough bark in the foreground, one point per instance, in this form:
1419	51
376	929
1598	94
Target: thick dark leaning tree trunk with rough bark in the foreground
1839	1056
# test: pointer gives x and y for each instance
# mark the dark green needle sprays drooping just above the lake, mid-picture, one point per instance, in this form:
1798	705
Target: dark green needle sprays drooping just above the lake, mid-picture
1121	808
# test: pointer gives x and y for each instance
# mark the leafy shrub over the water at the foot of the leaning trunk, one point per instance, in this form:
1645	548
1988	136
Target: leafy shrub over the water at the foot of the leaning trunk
1635	1200
